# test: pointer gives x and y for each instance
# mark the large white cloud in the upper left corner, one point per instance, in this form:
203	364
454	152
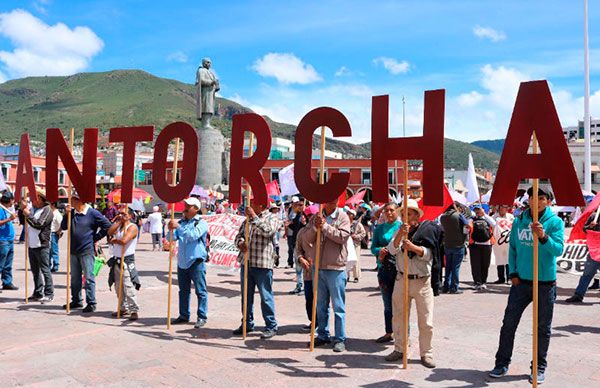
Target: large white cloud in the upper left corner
41	49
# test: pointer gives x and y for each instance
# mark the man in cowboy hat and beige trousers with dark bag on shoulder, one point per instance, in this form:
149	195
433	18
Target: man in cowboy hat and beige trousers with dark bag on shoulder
422	241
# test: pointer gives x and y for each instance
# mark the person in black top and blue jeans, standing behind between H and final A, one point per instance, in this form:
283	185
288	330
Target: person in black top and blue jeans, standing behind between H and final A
453	223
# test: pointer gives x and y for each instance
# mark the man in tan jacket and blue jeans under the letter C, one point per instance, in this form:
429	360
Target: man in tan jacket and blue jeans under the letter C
335	232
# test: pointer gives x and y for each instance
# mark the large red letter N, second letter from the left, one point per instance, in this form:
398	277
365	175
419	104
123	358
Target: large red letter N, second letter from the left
56	147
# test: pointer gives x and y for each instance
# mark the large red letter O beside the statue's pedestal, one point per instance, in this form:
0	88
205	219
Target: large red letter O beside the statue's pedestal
164	190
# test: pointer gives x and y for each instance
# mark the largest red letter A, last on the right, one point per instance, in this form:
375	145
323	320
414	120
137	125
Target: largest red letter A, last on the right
534	111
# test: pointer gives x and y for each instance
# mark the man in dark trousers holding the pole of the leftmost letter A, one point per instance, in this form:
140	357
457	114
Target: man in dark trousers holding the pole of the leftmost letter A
39	221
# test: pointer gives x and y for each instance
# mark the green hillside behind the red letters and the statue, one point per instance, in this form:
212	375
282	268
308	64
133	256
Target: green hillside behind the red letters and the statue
134	97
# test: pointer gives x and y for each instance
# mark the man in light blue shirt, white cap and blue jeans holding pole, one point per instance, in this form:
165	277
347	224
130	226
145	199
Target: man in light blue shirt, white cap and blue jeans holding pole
192	256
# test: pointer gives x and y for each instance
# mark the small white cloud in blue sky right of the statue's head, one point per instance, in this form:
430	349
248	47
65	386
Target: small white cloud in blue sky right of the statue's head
286	68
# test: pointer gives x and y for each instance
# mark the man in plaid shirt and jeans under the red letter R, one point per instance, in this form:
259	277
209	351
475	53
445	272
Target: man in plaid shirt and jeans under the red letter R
263	226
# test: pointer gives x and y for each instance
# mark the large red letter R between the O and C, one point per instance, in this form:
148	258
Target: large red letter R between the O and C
249	168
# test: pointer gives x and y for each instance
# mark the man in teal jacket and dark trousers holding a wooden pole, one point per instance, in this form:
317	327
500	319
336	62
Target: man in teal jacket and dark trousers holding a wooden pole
550	233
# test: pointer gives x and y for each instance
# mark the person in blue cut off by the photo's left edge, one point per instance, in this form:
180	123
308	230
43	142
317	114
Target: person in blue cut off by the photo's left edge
7	237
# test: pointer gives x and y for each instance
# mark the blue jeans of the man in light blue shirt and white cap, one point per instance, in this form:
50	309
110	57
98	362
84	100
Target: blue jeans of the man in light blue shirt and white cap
197	274
